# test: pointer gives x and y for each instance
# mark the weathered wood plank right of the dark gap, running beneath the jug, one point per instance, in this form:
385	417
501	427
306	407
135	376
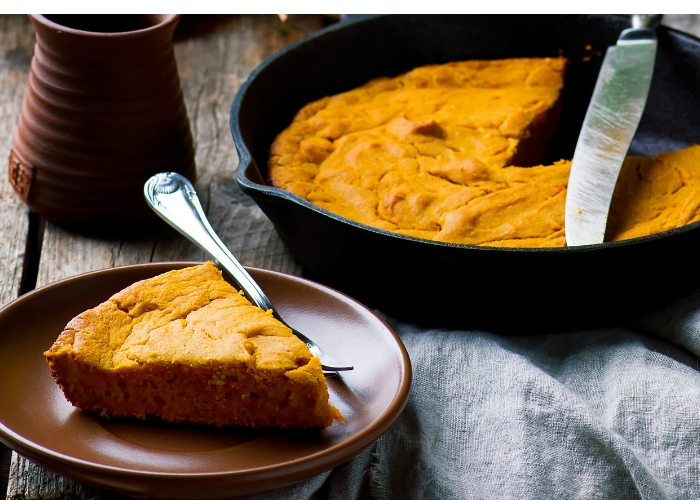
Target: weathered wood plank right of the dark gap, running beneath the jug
215	54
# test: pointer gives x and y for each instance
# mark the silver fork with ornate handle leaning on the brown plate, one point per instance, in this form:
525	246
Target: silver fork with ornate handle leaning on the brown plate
174	199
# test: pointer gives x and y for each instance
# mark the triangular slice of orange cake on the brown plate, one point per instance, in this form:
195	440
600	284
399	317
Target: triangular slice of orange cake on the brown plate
185	346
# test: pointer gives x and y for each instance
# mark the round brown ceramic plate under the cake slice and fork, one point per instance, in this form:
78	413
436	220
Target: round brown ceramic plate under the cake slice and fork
154	459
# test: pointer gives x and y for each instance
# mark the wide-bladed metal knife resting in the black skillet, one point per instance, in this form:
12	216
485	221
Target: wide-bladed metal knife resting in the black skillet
613	115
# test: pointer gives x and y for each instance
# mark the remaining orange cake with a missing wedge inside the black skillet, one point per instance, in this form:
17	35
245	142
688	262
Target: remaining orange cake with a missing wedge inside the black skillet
444	152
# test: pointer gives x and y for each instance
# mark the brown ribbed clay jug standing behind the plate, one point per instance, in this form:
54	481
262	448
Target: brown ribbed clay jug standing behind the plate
103	112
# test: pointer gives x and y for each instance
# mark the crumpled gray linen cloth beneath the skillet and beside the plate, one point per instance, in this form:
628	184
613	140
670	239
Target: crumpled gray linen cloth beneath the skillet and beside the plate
610	413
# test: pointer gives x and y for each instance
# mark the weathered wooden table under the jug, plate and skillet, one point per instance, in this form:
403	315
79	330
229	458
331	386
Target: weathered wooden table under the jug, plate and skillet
215	54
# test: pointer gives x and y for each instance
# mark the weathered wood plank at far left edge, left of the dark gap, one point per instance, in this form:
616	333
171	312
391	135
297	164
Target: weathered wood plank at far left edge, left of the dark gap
16	46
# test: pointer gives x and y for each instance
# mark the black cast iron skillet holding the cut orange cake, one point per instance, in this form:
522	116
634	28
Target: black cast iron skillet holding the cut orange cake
439	284
